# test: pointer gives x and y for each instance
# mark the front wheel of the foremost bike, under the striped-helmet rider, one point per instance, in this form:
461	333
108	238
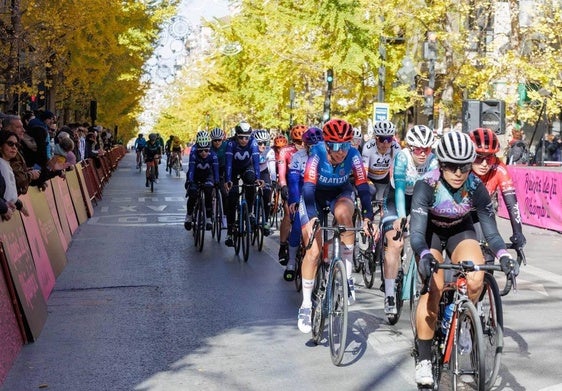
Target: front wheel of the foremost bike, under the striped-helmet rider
468	366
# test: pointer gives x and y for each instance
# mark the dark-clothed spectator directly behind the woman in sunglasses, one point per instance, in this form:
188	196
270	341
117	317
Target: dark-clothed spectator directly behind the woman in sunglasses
23	174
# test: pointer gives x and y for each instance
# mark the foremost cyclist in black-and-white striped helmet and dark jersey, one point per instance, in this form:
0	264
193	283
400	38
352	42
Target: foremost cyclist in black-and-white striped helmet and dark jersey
440	219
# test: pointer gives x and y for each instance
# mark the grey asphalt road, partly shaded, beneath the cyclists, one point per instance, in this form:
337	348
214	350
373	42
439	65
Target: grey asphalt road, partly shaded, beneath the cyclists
138	308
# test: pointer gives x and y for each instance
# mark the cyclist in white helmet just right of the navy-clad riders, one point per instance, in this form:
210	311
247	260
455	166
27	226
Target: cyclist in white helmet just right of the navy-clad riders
268	172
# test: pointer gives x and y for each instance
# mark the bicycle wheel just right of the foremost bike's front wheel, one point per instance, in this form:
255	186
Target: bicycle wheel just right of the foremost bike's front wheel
491	316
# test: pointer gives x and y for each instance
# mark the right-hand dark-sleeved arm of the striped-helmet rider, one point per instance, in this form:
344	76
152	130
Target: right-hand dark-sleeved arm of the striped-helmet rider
483	203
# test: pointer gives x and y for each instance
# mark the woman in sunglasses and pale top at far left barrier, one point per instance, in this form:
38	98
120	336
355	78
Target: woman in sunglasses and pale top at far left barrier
9	143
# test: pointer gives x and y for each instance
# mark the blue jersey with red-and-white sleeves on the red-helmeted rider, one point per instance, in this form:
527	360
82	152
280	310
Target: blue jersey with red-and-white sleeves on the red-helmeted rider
321	176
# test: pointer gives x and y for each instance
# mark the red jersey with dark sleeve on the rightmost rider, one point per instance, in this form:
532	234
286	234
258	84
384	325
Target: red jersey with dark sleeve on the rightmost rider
498	178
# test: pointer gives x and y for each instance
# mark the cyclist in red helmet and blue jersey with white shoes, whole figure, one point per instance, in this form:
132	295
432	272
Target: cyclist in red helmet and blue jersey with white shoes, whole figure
326	183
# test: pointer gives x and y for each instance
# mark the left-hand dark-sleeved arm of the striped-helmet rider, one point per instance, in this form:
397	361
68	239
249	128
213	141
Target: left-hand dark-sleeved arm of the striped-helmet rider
422	201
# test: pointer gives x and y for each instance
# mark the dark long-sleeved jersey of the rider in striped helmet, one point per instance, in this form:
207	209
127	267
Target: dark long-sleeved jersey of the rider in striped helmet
439	209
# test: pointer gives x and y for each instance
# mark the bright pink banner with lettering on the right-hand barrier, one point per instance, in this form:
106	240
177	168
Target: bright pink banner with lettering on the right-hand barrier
539	195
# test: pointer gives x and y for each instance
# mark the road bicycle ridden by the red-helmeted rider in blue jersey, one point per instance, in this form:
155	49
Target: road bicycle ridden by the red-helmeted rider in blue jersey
330	292
